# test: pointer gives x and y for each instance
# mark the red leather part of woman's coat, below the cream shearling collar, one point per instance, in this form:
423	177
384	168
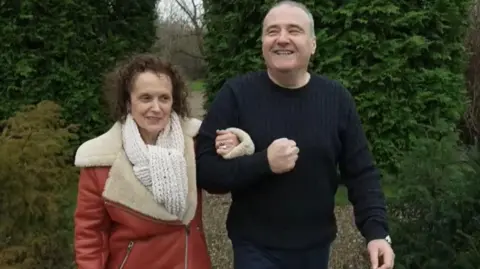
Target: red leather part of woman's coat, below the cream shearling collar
110	235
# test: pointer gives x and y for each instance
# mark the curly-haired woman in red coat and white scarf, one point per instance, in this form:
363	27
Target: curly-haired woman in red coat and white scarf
138	205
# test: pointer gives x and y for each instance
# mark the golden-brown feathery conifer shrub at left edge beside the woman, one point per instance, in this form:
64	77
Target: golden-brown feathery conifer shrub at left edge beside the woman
34	175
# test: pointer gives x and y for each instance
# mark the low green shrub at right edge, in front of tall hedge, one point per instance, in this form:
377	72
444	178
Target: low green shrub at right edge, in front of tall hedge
435	213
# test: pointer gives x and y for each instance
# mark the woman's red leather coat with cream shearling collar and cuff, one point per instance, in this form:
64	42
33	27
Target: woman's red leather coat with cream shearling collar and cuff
119	225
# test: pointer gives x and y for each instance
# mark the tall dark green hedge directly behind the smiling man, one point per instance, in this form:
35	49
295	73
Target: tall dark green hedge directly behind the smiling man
402	60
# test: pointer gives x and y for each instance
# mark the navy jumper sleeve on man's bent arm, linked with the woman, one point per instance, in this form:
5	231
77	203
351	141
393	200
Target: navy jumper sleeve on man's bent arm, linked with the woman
214	173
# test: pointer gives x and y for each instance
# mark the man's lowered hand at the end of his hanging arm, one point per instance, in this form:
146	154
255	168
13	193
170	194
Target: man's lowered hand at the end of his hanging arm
381	254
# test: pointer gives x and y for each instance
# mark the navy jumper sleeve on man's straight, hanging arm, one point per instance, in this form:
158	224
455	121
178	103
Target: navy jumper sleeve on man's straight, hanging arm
361	177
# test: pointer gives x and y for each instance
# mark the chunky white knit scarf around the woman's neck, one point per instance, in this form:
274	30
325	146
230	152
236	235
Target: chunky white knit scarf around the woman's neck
161	168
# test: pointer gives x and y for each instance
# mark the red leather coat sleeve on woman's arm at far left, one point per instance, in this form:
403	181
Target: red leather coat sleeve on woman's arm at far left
92	223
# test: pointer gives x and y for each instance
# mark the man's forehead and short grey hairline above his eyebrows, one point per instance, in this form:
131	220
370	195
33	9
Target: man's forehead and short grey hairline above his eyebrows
286	15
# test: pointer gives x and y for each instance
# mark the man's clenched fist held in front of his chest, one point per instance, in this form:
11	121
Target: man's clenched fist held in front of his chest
282	155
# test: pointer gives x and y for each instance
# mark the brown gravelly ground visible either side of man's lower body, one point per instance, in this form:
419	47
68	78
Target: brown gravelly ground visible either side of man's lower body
348	250
